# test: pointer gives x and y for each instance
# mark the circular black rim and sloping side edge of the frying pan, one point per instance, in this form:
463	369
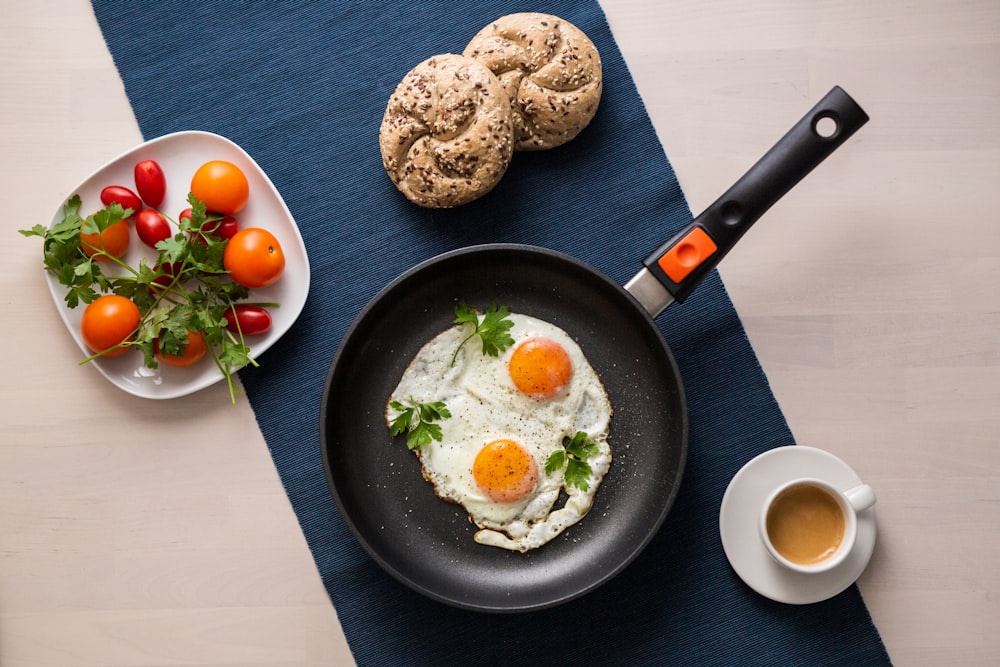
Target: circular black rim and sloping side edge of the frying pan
652	527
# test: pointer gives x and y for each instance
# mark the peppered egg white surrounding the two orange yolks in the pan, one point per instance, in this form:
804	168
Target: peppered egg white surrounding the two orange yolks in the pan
485	406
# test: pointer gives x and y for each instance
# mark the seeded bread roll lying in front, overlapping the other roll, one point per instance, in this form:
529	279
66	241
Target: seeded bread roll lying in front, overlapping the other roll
446	137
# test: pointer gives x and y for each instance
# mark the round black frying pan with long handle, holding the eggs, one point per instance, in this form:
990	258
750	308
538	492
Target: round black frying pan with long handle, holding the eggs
425	542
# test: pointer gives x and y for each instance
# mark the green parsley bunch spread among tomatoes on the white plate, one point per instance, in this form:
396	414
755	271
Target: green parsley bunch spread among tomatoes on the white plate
187	288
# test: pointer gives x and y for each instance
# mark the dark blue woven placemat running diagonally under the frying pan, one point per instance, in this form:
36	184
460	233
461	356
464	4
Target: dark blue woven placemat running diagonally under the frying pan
302	87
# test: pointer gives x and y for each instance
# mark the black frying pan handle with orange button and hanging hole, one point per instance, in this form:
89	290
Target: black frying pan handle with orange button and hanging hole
681	263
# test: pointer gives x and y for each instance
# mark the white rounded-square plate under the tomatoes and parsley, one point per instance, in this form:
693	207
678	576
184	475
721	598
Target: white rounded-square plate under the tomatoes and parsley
179	155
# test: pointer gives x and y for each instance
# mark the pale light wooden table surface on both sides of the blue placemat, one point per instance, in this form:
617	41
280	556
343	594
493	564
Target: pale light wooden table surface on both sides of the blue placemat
130	529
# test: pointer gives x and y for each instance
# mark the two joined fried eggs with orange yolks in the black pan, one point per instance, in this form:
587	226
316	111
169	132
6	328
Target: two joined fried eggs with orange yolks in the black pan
508	415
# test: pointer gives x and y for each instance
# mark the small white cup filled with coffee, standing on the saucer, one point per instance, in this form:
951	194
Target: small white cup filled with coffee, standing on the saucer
810	526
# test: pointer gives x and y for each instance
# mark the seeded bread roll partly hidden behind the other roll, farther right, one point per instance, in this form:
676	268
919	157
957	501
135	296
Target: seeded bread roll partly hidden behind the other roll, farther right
551	72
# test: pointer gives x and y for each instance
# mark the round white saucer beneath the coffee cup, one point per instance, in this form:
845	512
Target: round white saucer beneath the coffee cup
740	513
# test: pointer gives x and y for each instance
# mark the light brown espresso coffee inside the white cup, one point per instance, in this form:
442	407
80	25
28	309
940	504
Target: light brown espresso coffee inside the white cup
805	524
